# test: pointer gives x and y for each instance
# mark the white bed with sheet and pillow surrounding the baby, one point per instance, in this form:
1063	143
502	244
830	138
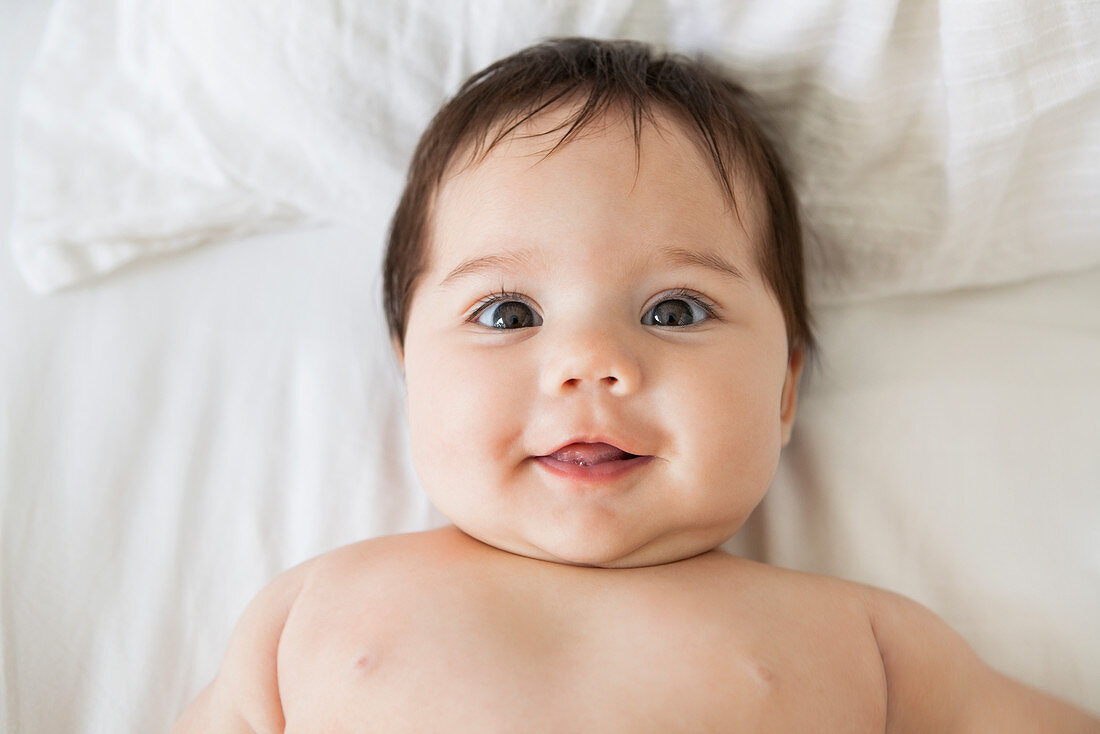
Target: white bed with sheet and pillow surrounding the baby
197	392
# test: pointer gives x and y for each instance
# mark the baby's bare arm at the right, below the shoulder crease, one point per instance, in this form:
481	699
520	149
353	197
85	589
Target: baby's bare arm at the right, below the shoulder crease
937	684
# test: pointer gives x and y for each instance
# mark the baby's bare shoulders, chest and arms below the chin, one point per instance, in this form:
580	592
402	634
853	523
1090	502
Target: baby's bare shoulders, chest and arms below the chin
437	632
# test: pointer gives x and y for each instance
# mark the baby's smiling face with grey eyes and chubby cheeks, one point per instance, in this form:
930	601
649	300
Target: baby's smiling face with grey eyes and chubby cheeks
602	334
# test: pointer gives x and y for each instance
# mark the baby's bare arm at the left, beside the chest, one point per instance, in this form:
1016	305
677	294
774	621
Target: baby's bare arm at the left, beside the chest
244	697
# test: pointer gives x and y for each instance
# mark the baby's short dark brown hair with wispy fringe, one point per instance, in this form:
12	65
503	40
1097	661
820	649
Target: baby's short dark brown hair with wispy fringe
599	76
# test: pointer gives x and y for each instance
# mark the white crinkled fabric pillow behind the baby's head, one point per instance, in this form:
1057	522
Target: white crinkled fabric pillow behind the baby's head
936	146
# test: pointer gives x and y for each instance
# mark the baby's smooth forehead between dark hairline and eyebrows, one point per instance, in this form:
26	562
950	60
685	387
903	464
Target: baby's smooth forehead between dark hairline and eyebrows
602	188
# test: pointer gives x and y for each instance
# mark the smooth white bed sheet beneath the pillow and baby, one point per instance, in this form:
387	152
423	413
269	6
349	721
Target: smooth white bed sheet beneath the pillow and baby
174	436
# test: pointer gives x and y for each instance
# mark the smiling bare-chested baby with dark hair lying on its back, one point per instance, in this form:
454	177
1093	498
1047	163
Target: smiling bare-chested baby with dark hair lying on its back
595	287
